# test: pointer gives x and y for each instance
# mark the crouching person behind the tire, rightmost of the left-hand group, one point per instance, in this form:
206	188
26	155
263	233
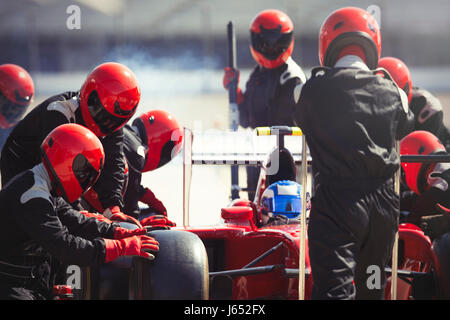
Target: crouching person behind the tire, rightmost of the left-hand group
153	140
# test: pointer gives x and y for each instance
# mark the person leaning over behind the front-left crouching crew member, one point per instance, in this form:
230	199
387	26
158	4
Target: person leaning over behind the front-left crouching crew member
107	100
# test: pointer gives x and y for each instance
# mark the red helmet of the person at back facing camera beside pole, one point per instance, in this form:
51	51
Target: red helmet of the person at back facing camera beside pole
272	39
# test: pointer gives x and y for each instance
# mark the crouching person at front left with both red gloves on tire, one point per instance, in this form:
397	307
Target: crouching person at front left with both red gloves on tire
39	229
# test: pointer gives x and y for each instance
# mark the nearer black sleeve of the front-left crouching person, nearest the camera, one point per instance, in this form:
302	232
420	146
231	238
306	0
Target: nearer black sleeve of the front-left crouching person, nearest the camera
38	219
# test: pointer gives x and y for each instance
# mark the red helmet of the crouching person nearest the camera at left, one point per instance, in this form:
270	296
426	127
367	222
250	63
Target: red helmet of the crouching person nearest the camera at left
73	157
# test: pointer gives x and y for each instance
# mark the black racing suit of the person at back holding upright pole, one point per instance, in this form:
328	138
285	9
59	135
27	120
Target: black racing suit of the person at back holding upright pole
268	101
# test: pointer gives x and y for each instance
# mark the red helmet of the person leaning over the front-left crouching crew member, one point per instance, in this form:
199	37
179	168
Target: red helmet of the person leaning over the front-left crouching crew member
109	98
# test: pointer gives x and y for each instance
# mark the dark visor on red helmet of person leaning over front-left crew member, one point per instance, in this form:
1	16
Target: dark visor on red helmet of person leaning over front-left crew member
106	121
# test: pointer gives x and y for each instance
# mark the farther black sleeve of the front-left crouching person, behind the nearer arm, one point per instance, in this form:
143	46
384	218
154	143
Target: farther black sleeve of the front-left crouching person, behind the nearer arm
80	225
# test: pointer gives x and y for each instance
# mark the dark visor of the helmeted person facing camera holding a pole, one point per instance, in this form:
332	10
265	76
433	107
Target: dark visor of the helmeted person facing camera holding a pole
271	42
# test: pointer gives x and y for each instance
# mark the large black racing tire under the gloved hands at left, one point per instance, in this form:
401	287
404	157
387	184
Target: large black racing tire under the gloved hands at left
179	271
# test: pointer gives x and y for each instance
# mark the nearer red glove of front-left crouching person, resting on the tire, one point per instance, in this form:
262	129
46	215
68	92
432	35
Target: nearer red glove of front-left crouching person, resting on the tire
143	246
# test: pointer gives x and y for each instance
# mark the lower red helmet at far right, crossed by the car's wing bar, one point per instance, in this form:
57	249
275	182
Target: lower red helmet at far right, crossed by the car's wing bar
418	143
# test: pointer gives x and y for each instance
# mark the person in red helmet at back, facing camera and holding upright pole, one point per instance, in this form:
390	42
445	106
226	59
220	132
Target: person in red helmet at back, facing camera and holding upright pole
268	98
